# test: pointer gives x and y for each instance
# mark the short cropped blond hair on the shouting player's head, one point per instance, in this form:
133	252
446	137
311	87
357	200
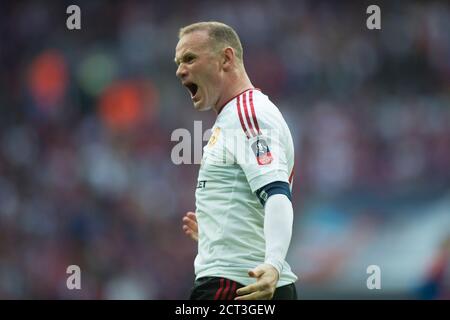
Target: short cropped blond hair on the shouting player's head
221	34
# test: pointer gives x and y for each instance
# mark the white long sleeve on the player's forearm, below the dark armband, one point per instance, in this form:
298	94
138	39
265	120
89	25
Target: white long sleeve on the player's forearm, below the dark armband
278	222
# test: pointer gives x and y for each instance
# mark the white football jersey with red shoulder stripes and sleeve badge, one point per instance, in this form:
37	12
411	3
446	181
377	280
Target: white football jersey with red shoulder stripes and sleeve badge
250	147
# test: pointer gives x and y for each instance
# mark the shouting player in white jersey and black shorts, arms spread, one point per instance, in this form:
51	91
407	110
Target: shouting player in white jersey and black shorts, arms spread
243	196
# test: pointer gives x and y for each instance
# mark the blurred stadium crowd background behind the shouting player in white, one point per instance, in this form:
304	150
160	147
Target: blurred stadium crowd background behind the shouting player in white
86	117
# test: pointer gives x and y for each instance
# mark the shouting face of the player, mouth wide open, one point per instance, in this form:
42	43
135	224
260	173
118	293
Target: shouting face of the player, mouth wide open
199	69
